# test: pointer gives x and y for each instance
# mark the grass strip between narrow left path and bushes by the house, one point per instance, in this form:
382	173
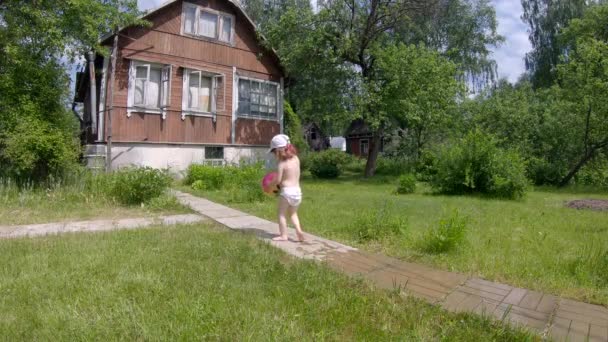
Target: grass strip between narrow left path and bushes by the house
67	203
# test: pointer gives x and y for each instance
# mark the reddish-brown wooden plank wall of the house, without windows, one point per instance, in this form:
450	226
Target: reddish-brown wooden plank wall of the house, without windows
163	44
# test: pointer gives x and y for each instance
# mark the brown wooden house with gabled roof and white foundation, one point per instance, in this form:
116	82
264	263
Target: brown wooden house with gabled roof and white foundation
197	85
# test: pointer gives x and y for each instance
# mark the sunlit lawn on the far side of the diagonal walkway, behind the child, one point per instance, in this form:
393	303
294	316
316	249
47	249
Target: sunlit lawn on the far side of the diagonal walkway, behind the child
533	243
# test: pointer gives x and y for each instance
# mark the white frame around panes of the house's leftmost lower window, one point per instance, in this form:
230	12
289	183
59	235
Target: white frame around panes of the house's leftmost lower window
166	74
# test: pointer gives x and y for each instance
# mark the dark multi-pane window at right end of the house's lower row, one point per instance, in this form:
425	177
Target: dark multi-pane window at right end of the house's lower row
257	99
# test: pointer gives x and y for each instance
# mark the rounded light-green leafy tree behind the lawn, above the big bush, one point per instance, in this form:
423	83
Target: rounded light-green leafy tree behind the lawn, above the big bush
418	89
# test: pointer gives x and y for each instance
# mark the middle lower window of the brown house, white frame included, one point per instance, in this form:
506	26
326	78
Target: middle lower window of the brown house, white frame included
203	93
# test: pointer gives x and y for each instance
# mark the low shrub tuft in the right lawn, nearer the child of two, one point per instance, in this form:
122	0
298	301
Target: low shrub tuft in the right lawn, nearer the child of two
373	225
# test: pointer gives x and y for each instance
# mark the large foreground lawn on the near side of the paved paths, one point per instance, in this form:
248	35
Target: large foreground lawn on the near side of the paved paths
201	282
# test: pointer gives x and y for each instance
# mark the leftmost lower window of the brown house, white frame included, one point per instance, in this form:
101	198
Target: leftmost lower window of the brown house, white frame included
149	88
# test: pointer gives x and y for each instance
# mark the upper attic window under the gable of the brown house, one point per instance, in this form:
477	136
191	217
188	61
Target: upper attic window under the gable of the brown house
203	22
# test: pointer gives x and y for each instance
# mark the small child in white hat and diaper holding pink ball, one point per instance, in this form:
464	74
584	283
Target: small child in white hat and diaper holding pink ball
290	195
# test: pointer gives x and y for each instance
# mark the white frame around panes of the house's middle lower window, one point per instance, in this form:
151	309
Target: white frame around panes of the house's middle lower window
213	96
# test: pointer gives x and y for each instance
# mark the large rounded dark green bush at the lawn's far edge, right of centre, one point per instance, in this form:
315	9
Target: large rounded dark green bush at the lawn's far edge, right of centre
476	165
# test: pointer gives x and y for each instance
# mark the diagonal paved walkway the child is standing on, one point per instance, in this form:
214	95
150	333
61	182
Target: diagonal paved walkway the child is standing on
557	318
